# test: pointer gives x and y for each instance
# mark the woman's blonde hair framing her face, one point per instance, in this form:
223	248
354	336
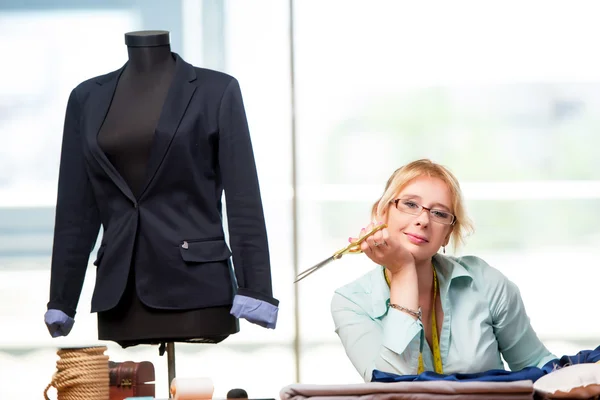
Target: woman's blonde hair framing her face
424	167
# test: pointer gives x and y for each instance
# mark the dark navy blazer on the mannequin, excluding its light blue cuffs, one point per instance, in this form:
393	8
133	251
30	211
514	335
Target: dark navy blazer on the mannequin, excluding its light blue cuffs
173	234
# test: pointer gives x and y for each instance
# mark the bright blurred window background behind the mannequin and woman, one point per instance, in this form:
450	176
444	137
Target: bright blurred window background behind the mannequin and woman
506	94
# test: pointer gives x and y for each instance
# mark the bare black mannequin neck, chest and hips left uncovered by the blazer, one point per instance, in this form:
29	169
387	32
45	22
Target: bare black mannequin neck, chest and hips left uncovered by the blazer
126	137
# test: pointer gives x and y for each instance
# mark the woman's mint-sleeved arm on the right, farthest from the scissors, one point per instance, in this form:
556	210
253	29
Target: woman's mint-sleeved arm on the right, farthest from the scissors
517	340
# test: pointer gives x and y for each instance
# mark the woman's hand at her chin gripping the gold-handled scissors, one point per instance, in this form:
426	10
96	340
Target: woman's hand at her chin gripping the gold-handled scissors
385	250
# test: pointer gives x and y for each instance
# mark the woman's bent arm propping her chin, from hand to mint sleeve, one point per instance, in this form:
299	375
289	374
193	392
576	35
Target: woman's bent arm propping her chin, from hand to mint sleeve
389	340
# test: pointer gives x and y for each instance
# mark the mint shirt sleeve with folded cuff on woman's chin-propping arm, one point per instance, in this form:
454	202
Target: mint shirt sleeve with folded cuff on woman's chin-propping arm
389	343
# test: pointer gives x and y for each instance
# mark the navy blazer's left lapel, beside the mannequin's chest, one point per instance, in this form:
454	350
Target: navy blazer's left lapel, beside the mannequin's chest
100	102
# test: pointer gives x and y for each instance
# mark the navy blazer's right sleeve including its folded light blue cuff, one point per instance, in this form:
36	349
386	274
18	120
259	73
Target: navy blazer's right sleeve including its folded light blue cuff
247	230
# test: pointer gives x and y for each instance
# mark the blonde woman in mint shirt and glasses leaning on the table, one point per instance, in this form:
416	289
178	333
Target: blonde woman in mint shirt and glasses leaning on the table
419	310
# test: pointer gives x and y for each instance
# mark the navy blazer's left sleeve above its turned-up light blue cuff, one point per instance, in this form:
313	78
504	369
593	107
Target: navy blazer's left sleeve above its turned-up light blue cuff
77	219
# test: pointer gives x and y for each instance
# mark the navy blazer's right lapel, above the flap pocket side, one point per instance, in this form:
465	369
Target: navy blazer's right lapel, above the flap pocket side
179	96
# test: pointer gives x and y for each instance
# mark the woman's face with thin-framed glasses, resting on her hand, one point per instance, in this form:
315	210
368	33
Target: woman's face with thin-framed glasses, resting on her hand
424	233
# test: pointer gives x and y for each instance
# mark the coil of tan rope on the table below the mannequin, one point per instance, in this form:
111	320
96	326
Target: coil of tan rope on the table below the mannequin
82	374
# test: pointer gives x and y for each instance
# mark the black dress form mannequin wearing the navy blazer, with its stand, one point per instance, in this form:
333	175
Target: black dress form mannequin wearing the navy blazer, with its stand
147	152
